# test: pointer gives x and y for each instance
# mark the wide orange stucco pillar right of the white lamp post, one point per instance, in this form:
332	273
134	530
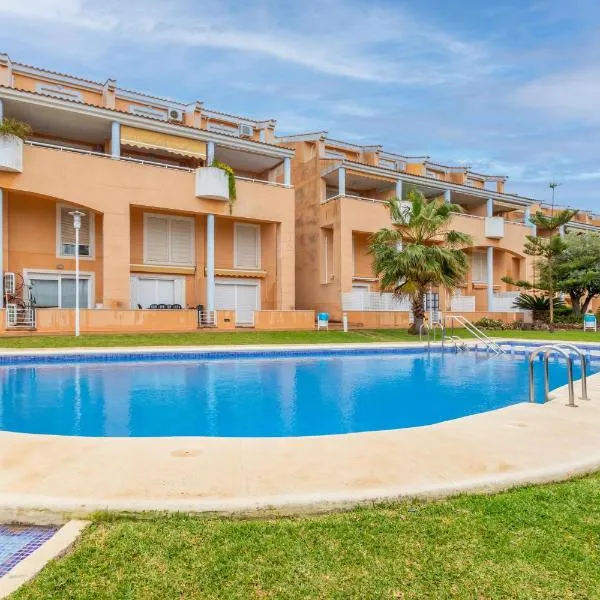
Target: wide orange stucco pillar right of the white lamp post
116	248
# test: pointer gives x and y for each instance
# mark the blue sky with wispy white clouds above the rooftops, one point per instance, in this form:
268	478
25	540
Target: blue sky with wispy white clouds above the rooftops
510	87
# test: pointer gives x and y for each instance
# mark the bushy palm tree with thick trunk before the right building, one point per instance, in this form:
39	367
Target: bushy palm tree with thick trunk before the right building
420	251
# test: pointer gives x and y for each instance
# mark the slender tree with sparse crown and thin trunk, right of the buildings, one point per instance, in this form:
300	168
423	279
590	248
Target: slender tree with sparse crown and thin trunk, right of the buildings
549	248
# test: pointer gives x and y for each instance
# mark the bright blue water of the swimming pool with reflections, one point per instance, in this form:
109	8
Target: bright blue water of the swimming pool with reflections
260	396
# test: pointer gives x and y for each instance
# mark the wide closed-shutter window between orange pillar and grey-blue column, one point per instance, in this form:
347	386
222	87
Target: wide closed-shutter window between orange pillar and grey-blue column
168	240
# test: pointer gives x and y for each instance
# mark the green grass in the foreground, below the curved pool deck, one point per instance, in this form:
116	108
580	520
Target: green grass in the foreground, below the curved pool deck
538	542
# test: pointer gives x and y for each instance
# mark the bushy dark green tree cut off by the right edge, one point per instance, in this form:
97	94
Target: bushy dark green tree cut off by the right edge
577	270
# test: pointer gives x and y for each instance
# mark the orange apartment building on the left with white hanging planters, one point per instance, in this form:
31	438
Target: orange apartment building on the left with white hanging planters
158	225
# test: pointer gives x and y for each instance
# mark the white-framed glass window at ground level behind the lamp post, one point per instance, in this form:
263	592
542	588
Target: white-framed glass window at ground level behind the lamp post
57	290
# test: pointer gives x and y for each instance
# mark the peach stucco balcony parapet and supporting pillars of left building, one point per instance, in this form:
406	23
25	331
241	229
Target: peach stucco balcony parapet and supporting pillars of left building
111	188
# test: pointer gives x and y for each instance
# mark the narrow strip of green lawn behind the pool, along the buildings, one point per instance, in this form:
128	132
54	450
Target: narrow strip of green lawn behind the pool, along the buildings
261	337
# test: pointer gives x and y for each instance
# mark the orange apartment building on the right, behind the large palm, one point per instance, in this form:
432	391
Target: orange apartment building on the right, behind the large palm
340	193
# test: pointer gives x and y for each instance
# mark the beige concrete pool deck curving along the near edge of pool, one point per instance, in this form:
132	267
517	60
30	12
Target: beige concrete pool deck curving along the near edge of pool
52	478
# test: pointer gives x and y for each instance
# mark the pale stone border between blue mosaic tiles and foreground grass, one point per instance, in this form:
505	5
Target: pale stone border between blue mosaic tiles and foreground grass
30	566
